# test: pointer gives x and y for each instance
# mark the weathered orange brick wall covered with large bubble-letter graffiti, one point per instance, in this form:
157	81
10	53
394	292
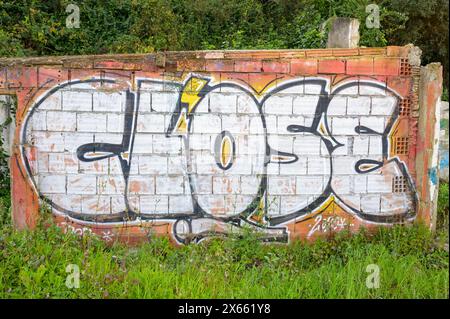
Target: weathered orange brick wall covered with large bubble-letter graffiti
292	143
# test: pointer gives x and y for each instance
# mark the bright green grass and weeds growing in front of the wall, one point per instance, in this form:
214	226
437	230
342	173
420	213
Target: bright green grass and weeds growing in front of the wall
412	265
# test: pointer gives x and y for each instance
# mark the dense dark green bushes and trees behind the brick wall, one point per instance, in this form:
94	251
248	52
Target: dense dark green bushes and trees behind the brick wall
34	27
